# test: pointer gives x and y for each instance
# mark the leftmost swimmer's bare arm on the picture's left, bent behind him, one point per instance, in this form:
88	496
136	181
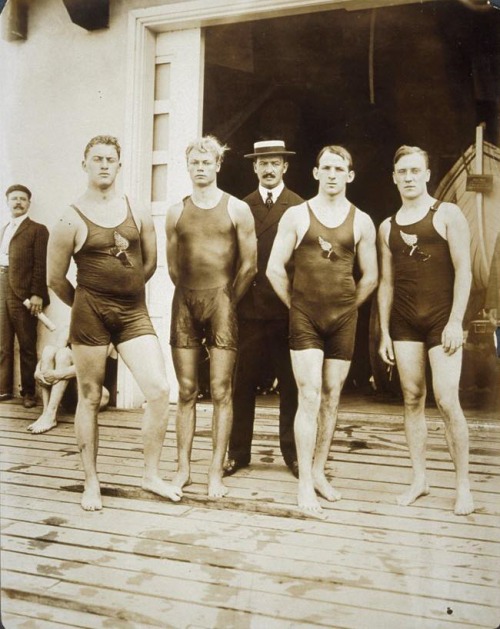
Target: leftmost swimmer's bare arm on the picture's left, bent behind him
62	244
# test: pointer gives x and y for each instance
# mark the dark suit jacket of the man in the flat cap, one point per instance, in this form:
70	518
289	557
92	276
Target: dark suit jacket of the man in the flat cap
28	261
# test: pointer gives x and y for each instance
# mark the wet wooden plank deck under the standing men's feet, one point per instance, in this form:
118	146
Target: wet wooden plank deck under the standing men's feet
250	560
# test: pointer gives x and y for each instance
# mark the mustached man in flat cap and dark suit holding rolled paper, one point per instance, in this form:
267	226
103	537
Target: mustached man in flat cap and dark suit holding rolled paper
23	292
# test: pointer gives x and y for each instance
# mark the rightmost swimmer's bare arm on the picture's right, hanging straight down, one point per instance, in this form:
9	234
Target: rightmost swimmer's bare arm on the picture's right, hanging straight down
458	236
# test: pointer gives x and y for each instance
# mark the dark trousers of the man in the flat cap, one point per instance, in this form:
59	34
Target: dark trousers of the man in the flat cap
16	320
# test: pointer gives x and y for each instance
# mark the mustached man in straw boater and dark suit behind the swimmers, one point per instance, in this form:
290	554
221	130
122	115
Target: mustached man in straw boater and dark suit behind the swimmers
263	318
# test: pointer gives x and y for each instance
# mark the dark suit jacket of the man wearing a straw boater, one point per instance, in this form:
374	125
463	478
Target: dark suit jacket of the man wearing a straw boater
260	301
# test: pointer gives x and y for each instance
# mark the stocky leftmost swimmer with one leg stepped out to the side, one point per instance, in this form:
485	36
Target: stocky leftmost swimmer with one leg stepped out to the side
114	248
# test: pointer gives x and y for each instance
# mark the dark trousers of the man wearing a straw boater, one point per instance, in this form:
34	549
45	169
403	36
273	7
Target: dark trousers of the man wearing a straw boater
262	342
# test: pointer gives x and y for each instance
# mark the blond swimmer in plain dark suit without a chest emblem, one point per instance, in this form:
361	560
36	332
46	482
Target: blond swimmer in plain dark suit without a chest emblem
211	254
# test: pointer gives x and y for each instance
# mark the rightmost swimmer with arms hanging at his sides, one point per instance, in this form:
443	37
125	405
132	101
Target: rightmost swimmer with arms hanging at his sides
422	298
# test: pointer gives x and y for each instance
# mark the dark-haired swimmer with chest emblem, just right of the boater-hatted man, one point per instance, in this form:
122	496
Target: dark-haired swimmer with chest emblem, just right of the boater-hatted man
324	236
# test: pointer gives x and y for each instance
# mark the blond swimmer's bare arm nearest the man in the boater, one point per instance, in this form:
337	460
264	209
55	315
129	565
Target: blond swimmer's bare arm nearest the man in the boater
247	246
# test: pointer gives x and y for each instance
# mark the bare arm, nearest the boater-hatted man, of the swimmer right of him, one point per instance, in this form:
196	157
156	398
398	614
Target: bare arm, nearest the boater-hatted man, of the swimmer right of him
281	254
